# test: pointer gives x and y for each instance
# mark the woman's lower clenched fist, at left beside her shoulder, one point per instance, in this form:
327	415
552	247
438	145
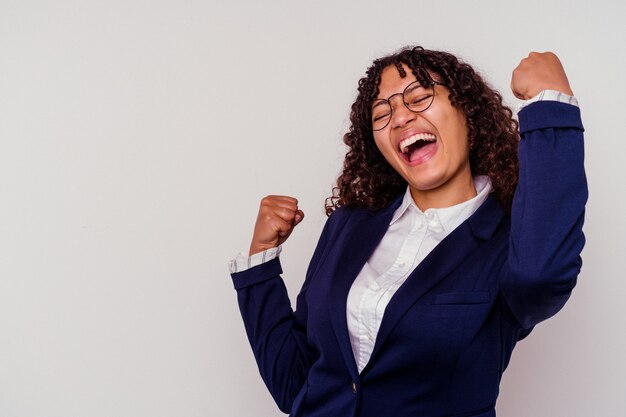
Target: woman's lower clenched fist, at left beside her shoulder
277	217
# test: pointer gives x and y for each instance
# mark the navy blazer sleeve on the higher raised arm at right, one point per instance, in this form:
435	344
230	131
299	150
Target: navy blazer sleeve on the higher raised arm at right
547	215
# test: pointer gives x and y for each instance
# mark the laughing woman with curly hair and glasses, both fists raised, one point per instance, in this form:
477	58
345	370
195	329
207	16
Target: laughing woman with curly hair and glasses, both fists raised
441	250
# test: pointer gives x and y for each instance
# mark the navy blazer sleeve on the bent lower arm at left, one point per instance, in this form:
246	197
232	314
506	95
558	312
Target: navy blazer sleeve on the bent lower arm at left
276	333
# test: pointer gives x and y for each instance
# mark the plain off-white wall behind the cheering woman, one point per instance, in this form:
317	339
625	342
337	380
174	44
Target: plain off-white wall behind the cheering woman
137	138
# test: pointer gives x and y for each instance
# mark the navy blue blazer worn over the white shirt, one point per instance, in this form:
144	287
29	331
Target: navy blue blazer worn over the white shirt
448	332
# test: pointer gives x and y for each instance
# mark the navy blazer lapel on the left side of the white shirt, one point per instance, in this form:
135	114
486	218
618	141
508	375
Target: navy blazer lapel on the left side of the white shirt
358	241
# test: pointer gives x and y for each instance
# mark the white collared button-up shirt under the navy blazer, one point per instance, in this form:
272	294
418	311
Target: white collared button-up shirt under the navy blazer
412	234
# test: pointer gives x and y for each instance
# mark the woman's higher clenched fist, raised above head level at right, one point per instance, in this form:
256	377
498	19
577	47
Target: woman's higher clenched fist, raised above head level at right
540	71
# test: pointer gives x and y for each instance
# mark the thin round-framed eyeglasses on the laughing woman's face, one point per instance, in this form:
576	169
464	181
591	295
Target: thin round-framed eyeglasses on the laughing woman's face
415	97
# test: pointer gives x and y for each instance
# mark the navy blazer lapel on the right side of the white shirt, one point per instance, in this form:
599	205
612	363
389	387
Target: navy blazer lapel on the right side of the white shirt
438	264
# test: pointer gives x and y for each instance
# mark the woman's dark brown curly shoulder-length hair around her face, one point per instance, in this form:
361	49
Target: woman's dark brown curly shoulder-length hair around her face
369	181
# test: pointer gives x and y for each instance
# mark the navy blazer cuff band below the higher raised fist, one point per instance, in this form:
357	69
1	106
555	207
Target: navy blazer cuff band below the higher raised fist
549	114
